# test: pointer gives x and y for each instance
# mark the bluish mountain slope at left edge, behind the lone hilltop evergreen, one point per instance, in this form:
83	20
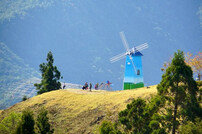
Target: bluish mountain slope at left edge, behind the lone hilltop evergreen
16	78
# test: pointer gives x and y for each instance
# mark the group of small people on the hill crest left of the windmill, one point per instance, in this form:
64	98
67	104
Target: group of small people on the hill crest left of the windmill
86	86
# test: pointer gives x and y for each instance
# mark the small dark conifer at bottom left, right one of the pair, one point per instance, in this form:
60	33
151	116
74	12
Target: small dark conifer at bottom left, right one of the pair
42	123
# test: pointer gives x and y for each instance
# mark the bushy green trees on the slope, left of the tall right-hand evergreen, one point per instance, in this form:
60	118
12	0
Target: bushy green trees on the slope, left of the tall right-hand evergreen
141	118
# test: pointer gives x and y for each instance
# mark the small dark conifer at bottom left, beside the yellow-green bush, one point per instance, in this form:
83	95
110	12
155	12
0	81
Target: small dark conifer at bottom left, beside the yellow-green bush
26	126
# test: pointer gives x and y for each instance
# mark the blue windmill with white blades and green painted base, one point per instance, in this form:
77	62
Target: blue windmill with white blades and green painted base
133	77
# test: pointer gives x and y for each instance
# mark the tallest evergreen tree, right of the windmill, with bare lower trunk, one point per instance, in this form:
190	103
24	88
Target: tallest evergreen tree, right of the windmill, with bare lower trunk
179	89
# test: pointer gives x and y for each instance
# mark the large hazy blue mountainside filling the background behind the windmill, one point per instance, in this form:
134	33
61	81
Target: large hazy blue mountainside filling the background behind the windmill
84	35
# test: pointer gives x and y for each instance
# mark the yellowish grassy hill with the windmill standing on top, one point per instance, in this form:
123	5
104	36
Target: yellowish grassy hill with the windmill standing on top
77	111
